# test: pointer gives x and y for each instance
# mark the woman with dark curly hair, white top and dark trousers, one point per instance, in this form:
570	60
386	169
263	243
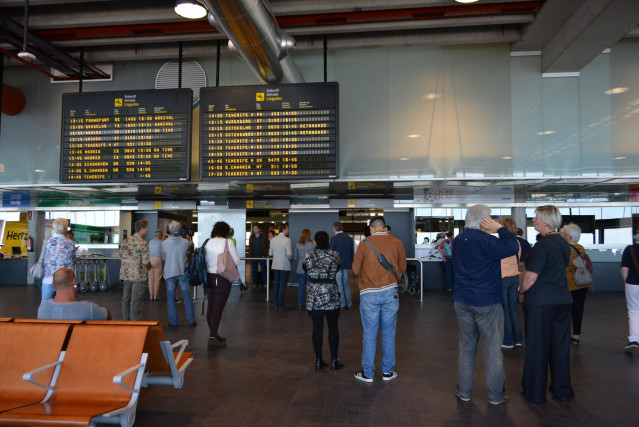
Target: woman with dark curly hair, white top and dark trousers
218	288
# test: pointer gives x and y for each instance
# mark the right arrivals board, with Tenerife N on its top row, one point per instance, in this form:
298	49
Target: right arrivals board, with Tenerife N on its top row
285	131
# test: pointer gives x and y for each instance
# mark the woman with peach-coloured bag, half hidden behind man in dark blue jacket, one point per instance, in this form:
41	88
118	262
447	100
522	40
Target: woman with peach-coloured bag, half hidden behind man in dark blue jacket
510	282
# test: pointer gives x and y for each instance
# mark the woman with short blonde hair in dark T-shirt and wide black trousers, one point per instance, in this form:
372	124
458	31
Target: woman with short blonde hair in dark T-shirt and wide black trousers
547	311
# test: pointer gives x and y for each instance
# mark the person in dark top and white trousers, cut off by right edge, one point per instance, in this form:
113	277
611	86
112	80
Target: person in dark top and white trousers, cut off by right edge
630	275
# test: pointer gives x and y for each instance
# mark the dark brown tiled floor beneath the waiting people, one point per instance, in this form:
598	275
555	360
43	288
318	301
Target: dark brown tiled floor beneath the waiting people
266	376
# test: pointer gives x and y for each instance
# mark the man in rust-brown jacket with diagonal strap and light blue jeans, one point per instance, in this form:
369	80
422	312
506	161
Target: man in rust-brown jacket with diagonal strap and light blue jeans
378	297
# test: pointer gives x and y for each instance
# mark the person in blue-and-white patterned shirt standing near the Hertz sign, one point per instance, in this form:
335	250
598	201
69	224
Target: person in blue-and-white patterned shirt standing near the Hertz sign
59	252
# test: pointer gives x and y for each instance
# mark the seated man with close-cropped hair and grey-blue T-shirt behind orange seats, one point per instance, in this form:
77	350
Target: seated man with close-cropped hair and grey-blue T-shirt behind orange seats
64	306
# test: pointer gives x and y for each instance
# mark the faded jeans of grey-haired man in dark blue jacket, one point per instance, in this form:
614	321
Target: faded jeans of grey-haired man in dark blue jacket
488	323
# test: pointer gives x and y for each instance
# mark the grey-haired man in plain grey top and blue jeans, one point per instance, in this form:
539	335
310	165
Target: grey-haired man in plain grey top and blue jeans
174	254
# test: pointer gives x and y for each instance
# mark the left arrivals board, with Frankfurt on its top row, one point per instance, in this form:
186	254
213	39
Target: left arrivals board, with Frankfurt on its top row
126	136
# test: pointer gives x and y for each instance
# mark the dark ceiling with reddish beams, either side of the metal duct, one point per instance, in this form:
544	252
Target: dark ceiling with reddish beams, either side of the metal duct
568	33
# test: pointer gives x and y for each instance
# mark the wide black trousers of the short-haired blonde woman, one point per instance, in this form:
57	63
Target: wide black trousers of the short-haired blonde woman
547	345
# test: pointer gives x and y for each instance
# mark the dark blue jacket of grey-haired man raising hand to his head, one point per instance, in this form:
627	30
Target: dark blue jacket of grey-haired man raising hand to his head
477	265
